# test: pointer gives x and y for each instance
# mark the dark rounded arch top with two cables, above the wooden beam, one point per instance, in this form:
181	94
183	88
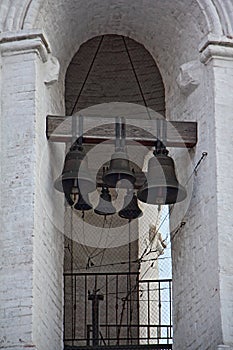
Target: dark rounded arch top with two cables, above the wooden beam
113	68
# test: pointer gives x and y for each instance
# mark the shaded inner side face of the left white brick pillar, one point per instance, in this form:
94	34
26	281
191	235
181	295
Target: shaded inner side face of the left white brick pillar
48	238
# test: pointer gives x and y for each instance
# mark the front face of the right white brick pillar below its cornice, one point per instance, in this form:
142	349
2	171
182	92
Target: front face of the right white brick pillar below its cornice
223	72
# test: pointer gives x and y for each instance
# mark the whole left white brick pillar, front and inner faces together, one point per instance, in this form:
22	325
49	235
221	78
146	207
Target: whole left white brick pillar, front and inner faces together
31	291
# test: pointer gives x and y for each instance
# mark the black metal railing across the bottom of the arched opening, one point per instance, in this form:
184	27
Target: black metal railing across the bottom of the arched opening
116	309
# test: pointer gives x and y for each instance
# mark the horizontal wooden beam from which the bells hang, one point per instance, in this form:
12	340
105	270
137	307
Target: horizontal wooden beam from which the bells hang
97	130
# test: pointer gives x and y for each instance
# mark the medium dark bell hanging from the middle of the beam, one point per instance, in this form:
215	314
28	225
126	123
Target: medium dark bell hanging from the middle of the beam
118	170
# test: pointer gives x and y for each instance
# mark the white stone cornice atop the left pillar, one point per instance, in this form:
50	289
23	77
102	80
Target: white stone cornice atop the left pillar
24	41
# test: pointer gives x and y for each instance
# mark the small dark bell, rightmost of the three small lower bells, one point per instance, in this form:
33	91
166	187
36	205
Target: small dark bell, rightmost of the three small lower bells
131	209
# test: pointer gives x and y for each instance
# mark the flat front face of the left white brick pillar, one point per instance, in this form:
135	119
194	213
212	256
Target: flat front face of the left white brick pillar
17	198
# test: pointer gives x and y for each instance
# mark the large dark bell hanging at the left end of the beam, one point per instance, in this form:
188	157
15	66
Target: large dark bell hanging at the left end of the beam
75	176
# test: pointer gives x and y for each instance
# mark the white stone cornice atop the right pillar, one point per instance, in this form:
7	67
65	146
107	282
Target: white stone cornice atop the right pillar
216	47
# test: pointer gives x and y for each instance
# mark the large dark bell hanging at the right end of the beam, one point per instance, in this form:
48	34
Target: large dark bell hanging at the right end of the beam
162	186
